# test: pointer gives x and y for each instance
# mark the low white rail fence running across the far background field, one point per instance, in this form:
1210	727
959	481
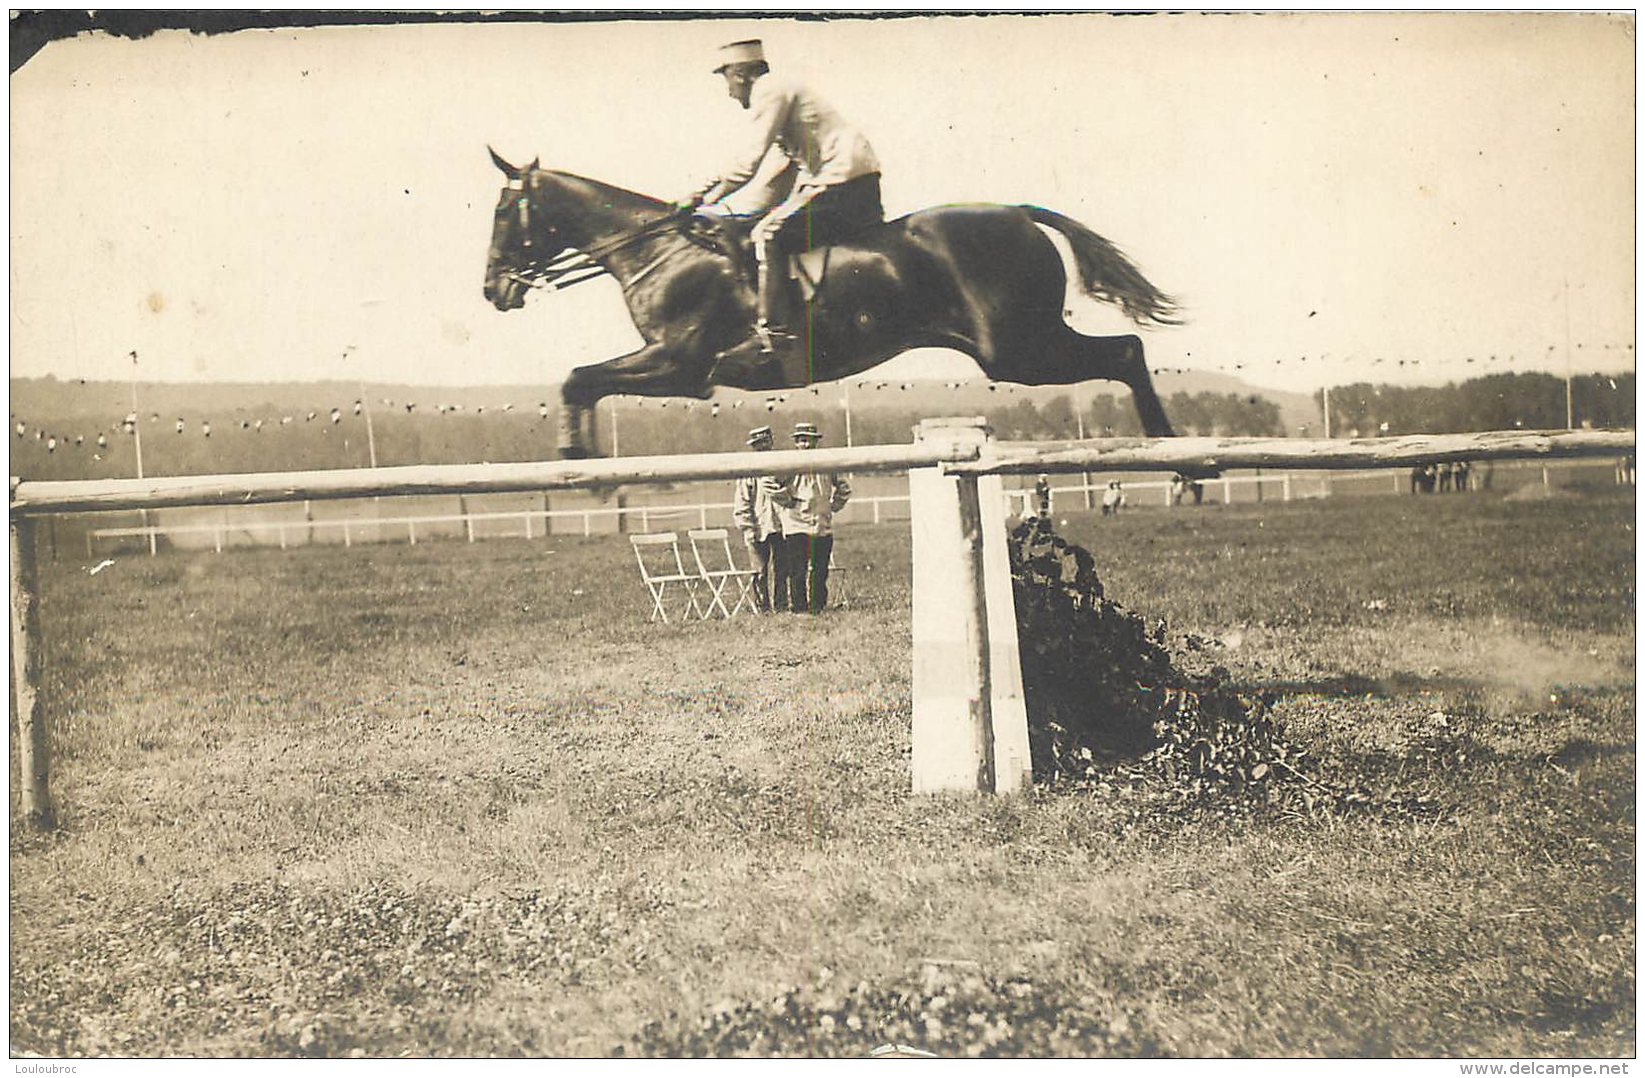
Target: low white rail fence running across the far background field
863	509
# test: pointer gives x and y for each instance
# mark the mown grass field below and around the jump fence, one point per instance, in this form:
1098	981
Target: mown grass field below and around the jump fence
465	801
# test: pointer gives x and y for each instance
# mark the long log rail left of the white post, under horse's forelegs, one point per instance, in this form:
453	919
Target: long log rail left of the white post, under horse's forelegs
266	488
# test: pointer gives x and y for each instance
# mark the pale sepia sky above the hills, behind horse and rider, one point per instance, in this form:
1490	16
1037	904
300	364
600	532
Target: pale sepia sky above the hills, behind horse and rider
1322	192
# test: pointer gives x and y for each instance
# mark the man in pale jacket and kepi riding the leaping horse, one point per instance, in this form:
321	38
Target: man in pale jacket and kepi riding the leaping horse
832	180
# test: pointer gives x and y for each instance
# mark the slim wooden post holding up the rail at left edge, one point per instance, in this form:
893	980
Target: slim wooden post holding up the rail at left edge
32	750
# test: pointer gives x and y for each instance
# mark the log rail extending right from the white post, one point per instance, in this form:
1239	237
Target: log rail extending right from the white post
1225	453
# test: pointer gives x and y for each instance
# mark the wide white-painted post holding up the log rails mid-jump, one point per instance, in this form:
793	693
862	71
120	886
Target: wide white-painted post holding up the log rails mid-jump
970	725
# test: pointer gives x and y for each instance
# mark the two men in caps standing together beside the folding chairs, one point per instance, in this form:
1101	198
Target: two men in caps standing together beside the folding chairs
789	527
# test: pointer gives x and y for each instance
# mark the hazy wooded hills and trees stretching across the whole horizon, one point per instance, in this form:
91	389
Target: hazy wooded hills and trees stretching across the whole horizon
654	427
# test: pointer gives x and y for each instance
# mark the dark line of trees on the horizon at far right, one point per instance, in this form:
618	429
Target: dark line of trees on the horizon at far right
1491	404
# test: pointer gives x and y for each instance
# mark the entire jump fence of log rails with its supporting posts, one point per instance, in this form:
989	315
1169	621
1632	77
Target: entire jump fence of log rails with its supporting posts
970	725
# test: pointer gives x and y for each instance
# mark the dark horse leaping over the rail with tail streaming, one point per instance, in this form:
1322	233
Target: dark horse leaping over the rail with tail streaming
981	279
